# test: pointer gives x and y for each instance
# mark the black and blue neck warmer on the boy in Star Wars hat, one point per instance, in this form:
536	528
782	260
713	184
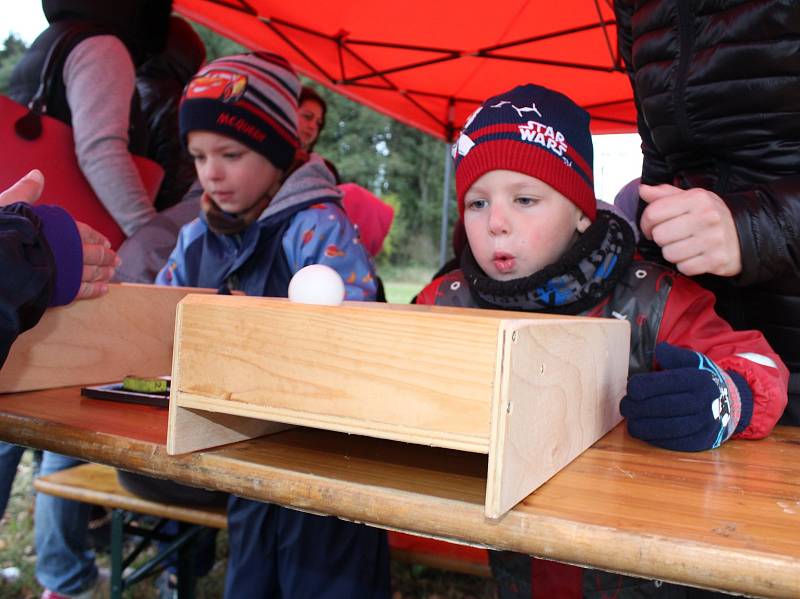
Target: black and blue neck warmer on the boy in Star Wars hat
584	275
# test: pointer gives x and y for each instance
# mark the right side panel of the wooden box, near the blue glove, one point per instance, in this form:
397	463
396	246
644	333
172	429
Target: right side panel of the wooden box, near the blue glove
561	388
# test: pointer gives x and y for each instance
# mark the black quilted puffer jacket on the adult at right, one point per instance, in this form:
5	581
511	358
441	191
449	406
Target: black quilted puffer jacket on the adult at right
717	86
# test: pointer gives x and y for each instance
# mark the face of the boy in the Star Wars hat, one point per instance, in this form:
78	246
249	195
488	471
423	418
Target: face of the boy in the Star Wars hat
516	224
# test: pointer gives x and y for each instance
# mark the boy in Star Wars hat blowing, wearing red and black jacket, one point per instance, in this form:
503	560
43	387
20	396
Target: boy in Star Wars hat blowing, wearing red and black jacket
537	240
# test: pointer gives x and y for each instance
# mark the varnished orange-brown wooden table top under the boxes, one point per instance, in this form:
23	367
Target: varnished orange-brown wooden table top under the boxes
727	519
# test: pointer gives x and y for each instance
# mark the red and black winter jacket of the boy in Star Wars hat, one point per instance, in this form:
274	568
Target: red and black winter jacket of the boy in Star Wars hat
661	305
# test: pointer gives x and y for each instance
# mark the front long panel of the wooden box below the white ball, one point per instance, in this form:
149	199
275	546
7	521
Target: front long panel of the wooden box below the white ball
411	375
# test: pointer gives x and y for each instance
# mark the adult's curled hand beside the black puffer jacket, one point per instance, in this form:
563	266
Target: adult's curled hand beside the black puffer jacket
694	229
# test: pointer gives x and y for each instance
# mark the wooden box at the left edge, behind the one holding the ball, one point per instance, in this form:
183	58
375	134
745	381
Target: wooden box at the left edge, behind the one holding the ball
129	330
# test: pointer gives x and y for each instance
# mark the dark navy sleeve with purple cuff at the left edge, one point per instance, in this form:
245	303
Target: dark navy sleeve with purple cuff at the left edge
41	262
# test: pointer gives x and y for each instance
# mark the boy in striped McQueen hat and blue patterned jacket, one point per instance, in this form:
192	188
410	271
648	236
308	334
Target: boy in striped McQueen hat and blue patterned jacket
268	210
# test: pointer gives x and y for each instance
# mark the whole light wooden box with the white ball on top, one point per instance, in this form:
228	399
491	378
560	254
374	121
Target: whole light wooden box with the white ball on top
531	391
